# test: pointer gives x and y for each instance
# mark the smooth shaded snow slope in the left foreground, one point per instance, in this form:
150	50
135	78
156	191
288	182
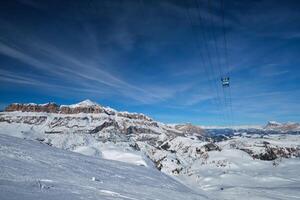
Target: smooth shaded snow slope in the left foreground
32	170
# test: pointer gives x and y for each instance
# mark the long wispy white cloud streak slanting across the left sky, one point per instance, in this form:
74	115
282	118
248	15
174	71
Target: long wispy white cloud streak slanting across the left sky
78	72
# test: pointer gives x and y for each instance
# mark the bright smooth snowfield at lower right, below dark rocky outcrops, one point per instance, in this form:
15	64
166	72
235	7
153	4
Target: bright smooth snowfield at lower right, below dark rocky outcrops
233	175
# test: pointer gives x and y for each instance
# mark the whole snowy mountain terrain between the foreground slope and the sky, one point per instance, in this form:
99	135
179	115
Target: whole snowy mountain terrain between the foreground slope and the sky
194	155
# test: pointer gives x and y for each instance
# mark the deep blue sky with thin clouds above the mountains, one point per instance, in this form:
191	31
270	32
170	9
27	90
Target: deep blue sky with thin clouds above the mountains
163	58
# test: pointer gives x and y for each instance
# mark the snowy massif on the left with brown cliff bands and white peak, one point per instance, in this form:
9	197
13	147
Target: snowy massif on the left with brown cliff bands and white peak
88	128
